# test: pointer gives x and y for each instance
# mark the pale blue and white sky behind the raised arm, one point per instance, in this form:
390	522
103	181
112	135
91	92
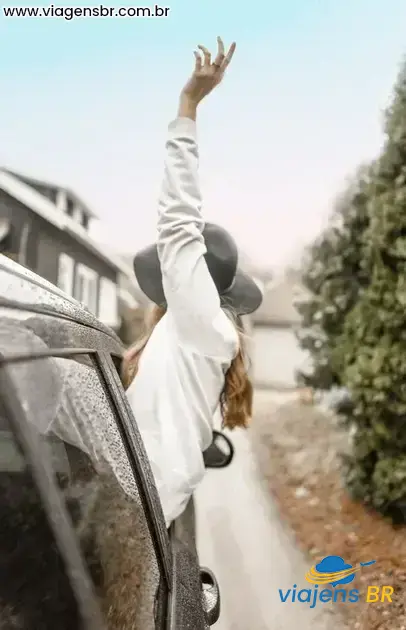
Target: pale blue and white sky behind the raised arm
86	103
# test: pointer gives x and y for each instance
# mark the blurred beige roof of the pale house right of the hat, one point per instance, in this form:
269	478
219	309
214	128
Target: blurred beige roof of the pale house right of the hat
278	307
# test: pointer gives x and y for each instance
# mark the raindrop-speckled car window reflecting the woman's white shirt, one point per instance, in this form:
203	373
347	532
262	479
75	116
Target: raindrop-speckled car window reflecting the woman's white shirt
66	401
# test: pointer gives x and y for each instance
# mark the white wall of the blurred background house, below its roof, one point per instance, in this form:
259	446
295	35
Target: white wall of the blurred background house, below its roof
276	357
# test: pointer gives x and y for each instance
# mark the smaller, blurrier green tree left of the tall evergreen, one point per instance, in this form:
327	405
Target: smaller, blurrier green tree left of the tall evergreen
333	277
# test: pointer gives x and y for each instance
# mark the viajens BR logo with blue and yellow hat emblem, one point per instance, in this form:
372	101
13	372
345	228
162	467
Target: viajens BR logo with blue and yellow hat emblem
329	580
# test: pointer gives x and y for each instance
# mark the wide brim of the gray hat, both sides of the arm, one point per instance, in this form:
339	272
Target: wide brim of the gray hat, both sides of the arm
244	296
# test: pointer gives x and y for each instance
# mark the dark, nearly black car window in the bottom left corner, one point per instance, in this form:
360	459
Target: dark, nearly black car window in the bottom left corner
35	590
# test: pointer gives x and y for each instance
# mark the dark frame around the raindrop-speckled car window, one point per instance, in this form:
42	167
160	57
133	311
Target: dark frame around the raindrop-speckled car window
131	440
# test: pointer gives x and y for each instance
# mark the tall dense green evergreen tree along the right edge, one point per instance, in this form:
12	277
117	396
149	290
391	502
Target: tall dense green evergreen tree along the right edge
370	357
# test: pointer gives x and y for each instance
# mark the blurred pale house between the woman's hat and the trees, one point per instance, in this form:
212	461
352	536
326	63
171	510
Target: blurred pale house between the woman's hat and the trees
276	354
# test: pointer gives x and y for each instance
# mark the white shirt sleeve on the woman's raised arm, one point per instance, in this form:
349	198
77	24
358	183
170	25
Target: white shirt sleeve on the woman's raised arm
192	299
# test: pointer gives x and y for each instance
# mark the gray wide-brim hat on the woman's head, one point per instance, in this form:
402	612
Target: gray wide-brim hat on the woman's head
236	288
